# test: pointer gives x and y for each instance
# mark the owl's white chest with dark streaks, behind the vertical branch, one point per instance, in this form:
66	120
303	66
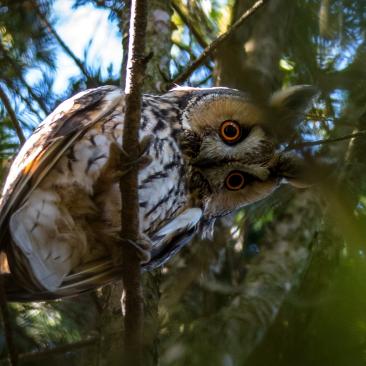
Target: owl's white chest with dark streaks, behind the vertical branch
162	184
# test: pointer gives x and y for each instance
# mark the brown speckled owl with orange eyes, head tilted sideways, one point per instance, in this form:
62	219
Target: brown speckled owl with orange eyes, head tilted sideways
209	152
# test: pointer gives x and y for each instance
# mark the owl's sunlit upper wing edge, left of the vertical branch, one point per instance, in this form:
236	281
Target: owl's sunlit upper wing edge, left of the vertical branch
49	141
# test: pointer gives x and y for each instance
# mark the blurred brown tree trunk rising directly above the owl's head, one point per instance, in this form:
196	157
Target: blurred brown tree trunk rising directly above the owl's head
249	60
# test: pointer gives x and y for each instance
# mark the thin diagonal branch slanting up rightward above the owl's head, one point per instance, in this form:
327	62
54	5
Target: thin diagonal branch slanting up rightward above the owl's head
215	43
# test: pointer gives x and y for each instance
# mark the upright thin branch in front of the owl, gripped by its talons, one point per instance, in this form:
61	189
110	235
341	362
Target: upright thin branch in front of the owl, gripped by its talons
131	274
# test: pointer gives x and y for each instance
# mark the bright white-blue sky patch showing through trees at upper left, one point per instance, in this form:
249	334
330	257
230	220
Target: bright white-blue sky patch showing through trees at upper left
84	28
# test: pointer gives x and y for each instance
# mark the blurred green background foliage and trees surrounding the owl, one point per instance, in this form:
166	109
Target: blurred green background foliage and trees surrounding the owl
283	282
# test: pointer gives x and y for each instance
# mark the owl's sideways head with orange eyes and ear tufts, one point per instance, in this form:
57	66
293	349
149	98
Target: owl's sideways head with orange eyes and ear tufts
230	141
